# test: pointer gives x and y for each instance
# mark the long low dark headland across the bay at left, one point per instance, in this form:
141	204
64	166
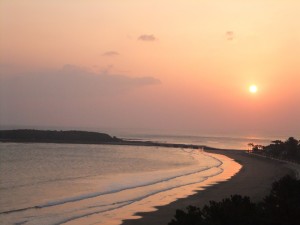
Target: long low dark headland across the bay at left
55	136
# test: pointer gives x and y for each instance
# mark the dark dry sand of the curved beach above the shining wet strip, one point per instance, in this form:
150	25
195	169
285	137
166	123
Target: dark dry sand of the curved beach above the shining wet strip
254	180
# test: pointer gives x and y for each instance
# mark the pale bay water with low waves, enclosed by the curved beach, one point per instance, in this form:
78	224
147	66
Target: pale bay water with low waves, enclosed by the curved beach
96	184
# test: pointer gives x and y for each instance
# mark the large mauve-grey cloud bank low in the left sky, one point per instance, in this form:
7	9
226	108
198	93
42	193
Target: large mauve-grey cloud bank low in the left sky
69	82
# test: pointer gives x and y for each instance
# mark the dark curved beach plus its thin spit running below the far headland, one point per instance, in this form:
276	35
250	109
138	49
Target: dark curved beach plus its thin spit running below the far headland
253	180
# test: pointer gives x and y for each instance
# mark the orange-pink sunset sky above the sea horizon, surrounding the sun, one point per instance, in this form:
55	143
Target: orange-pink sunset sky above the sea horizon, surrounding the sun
159	65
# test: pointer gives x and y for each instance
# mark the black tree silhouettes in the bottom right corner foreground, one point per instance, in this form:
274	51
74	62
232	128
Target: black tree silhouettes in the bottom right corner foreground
280	207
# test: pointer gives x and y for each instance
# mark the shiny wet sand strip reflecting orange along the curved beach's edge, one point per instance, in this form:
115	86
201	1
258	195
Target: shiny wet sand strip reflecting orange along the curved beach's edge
164	197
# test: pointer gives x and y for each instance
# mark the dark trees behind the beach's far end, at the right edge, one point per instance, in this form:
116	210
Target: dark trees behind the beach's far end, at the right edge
288	150
